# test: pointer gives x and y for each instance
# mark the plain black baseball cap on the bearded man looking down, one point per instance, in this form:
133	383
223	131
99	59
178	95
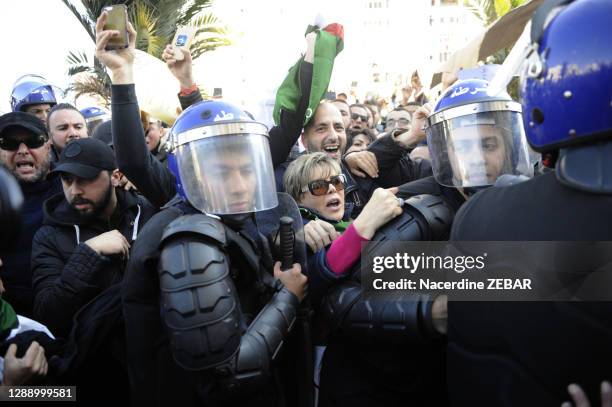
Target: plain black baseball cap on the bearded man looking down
85	158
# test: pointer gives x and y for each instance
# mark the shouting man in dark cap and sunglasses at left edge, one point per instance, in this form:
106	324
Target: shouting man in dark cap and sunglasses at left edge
24	151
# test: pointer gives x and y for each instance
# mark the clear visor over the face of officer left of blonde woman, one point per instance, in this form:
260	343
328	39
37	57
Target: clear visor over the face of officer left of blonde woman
229	174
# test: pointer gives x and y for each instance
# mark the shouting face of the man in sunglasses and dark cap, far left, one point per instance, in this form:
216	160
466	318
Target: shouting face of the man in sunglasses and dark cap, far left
26	164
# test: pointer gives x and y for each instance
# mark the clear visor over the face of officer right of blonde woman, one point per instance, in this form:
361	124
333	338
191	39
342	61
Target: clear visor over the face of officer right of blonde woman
474	150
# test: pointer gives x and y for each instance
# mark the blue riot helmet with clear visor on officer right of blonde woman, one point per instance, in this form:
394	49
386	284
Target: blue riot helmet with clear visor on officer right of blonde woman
474	138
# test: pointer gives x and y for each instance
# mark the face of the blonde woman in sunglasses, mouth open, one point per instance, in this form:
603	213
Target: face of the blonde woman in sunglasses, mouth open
330	205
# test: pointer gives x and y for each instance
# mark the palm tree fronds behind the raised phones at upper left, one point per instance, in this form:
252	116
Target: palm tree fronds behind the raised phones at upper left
155	22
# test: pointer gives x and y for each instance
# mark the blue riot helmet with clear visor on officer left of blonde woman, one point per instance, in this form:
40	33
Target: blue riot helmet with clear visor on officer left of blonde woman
221	160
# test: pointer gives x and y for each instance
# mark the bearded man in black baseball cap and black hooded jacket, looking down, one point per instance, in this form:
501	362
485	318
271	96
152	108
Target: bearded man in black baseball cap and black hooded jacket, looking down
84	244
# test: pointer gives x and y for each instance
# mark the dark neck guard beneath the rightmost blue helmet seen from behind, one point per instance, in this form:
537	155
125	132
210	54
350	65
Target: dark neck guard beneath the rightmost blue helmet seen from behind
587	168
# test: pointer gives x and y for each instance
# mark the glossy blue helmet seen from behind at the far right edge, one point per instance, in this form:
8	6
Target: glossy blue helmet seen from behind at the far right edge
566	82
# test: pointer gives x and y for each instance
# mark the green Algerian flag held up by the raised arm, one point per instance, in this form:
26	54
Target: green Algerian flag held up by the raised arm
329	43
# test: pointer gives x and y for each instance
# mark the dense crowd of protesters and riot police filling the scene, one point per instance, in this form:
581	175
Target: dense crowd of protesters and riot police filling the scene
151	264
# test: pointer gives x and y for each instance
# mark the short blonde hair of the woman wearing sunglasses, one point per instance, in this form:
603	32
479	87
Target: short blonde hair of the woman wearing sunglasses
301	170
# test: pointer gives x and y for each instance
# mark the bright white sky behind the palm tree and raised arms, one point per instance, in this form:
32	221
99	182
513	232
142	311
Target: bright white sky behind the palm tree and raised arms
268	40
